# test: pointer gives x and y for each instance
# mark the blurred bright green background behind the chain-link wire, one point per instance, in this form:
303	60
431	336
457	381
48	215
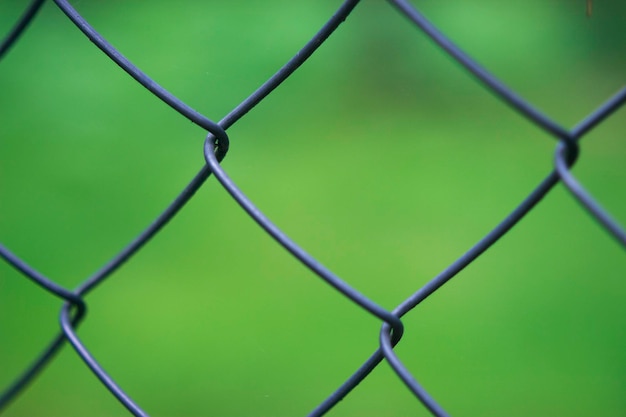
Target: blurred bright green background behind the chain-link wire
381	157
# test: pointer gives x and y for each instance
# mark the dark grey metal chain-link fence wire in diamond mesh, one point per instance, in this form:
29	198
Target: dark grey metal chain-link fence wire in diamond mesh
216	147
